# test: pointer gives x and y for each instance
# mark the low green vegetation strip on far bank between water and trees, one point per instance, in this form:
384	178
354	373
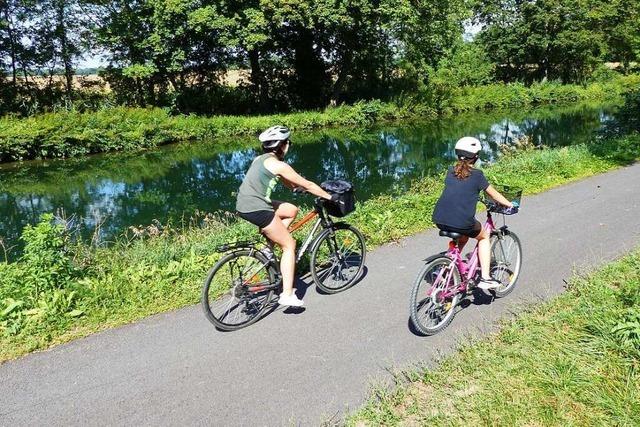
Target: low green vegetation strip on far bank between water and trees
72	134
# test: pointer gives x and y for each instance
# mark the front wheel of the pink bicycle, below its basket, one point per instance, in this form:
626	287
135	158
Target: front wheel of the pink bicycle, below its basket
506	260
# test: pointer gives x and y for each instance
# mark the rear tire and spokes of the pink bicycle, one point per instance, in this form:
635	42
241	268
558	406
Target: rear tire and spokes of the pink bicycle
428	274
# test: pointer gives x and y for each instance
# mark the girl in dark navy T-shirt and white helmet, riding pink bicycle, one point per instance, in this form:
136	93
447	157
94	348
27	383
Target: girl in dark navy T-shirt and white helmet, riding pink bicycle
456	208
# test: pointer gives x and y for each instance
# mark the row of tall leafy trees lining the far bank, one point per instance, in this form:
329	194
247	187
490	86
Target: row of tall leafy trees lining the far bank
300	54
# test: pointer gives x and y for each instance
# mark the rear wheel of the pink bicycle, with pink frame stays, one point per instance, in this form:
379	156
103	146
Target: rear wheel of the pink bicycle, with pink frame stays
431	308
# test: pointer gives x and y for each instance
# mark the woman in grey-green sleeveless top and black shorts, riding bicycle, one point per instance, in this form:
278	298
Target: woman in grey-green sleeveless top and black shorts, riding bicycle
274	217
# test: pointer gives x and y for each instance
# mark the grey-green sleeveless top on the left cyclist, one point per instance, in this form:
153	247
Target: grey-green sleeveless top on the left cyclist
255	191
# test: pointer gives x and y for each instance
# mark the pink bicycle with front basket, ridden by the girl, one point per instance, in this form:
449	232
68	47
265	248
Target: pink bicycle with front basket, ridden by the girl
447	277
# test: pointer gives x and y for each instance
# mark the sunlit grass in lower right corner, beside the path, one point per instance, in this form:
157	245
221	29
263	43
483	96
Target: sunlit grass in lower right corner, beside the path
572	361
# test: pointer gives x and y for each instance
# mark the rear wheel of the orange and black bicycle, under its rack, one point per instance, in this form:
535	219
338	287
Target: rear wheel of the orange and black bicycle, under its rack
238	289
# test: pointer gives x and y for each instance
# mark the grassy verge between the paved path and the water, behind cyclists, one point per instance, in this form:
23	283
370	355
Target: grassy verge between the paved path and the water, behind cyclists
91	289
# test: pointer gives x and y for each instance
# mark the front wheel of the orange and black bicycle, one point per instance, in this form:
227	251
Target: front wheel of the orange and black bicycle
337	258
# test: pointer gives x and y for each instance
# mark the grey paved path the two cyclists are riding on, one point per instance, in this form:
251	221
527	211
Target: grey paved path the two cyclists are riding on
307	368
